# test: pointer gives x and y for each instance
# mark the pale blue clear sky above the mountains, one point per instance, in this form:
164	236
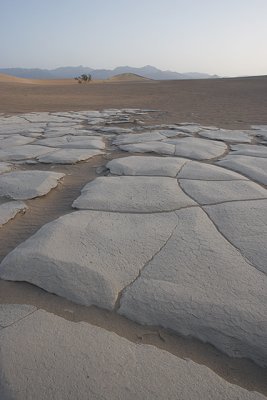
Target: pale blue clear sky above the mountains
223	37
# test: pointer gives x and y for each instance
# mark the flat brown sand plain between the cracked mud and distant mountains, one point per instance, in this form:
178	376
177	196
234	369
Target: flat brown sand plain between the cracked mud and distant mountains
227	103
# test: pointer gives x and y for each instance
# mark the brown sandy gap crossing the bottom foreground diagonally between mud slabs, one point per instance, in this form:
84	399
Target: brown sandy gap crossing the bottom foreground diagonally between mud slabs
240	372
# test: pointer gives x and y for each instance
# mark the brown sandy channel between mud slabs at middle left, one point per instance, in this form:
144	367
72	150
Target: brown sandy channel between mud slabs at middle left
56	203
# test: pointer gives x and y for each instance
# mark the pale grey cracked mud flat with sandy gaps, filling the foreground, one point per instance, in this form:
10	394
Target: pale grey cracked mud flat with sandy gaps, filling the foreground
154	254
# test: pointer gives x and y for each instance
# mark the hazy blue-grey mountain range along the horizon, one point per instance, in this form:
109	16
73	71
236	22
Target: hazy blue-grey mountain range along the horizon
71	72
